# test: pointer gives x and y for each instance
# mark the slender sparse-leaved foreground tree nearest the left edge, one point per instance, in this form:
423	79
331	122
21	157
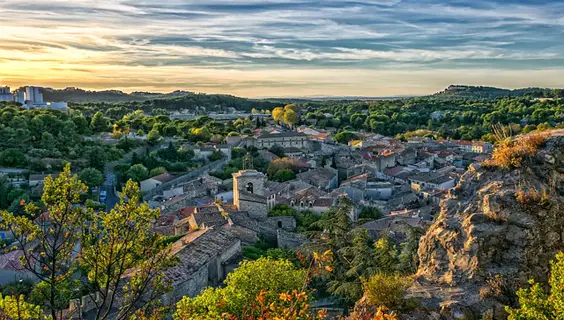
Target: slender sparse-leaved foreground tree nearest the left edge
58	230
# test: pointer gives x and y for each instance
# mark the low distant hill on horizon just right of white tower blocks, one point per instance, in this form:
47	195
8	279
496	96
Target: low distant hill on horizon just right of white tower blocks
79	95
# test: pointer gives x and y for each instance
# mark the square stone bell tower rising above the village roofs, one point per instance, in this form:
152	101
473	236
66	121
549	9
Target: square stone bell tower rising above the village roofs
248	193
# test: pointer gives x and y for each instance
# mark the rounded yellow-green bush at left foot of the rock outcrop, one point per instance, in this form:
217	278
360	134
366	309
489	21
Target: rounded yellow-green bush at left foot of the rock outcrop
386	290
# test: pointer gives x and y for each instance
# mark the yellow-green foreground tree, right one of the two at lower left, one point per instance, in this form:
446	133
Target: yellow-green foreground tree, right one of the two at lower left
113	253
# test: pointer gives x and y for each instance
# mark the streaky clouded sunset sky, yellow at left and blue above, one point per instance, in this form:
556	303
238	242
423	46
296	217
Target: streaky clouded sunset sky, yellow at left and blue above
282	48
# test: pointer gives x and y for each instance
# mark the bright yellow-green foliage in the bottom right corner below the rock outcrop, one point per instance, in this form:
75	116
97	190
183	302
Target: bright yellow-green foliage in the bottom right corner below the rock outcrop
535	303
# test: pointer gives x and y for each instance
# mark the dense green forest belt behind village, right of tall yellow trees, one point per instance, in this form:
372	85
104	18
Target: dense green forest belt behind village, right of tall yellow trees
454	118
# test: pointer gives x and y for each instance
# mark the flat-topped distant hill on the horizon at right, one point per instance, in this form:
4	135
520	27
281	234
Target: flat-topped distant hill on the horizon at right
481	92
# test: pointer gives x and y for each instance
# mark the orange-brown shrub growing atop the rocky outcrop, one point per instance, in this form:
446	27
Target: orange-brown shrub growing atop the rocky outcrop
509	153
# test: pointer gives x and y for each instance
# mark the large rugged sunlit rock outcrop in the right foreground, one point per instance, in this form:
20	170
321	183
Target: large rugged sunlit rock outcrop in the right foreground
497	229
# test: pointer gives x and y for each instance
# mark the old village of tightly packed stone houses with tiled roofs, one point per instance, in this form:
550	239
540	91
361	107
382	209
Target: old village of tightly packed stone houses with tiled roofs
212	219
